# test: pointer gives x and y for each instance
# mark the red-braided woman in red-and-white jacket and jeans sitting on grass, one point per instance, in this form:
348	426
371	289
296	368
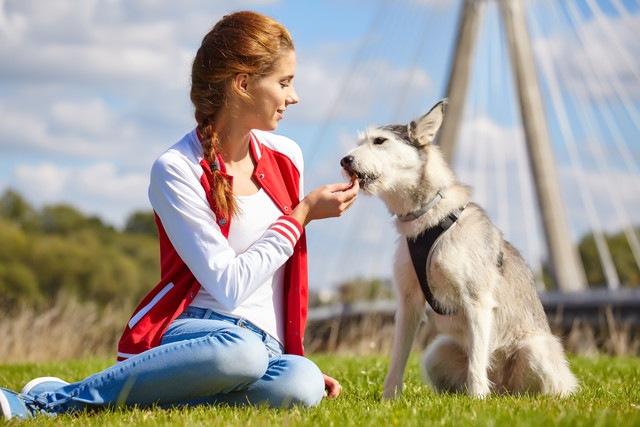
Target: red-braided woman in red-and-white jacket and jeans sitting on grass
226	321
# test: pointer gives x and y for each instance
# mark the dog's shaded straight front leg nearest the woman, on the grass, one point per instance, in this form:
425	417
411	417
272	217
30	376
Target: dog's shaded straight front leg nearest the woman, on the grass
410	313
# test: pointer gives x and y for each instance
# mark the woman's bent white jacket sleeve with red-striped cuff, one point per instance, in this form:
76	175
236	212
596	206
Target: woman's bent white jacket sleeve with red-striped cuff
179	200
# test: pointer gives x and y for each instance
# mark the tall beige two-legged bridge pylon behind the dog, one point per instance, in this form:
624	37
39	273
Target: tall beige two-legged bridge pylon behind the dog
567	272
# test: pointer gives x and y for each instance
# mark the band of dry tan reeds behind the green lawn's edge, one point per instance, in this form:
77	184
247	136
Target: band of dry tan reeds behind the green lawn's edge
69	329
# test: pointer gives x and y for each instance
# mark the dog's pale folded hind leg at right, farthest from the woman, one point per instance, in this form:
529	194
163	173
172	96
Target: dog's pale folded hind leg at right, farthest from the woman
540	366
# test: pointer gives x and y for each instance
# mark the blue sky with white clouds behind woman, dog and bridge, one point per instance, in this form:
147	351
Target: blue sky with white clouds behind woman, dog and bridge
92	91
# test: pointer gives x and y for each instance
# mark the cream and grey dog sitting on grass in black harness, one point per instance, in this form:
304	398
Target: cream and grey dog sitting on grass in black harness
492	333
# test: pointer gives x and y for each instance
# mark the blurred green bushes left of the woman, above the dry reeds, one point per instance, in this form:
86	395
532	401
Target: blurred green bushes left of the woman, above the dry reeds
58	250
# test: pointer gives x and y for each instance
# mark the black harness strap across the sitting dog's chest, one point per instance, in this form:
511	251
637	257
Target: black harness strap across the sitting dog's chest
420	247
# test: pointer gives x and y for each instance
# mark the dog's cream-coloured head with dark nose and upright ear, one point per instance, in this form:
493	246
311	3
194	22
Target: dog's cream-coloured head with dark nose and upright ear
392	158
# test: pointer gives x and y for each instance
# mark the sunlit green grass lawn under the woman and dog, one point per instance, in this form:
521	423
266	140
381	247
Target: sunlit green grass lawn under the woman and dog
610	396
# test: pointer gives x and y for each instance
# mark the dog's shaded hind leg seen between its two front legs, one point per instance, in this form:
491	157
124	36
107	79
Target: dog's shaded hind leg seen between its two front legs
445	365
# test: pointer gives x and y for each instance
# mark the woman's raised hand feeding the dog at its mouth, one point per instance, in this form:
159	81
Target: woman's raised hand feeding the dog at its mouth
328	201
